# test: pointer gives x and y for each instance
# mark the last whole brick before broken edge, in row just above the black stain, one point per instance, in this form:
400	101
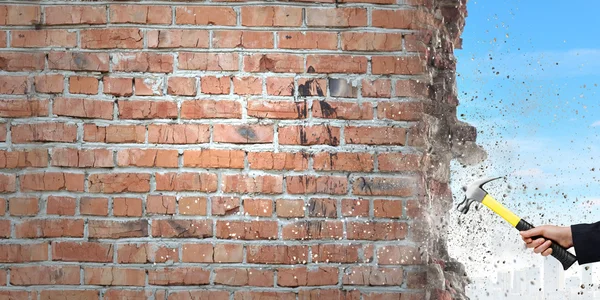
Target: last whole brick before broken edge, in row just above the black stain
401	65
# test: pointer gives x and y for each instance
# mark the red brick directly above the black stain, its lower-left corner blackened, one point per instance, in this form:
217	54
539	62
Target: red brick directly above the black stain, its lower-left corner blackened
336	64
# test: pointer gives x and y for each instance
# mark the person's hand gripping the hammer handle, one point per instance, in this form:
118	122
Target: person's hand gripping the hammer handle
539	238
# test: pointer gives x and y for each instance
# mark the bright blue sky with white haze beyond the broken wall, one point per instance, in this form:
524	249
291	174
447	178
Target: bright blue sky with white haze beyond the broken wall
529	79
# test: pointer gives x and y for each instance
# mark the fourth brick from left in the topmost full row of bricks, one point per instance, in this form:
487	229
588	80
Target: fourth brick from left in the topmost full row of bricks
205	15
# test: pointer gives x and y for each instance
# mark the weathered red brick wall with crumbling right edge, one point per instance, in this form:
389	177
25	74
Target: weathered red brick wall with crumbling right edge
213	150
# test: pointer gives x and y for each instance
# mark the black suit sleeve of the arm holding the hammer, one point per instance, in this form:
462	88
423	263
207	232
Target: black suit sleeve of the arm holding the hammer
586	240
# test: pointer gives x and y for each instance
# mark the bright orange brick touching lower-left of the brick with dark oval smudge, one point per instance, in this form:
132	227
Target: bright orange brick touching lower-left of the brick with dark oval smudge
214	158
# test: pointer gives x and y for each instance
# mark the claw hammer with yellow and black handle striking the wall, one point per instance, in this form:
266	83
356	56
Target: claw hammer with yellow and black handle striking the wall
476	193
